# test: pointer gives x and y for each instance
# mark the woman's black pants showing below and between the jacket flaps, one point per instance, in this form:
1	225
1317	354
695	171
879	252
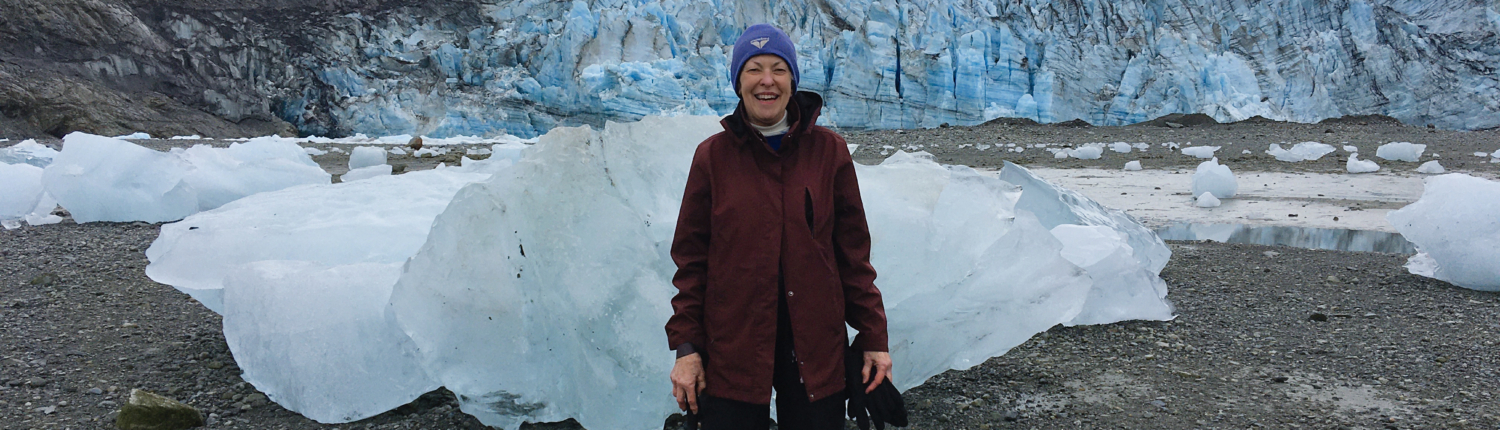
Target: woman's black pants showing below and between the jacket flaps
793	410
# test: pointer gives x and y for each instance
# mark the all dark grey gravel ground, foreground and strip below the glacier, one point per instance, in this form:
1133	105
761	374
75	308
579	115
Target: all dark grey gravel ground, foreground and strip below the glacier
1267	338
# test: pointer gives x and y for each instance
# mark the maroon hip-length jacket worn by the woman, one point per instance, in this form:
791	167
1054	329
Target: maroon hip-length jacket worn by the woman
751	214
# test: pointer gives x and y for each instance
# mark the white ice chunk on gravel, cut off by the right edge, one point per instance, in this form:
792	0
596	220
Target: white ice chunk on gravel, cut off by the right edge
1456	230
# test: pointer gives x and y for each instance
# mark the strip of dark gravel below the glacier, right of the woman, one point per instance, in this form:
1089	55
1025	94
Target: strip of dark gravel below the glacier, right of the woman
985	146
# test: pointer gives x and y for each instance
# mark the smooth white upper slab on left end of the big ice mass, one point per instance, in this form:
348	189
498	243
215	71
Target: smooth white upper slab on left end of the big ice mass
379	221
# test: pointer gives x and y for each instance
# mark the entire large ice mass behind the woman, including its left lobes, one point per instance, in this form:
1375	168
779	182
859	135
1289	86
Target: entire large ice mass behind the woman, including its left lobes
535	287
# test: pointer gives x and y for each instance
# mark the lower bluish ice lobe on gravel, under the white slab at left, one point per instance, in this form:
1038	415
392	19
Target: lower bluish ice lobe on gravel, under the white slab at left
317	339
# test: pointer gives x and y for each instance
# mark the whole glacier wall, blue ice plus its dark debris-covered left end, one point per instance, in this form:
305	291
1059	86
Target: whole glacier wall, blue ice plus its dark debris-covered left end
508	67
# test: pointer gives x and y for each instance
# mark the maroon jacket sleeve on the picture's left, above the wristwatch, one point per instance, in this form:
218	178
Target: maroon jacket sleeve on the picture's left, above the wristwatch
691	254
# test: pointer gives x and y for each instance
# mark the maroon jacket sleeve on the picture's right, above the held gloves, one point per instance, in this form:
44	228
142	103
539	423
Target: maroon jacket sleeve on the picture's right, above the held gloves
865	311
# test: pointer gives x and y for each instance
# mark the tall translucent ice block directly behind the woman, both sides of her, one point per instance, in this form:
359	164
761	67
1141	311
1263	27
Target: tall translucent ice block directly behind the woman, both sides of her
515	311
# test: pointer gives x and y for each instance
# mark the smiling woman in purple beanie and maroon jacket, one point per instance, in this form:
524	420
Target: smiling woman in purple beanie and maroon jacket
773	258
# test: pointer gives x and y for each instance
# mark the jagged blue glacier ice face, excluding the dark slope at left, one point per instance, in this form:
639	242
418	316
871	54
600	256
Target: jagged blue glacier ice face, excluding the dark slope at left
929	62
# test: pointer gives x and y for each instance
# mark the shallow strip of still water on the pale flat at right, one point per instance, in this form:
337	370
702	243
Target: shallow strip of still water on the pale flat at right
1354	240
